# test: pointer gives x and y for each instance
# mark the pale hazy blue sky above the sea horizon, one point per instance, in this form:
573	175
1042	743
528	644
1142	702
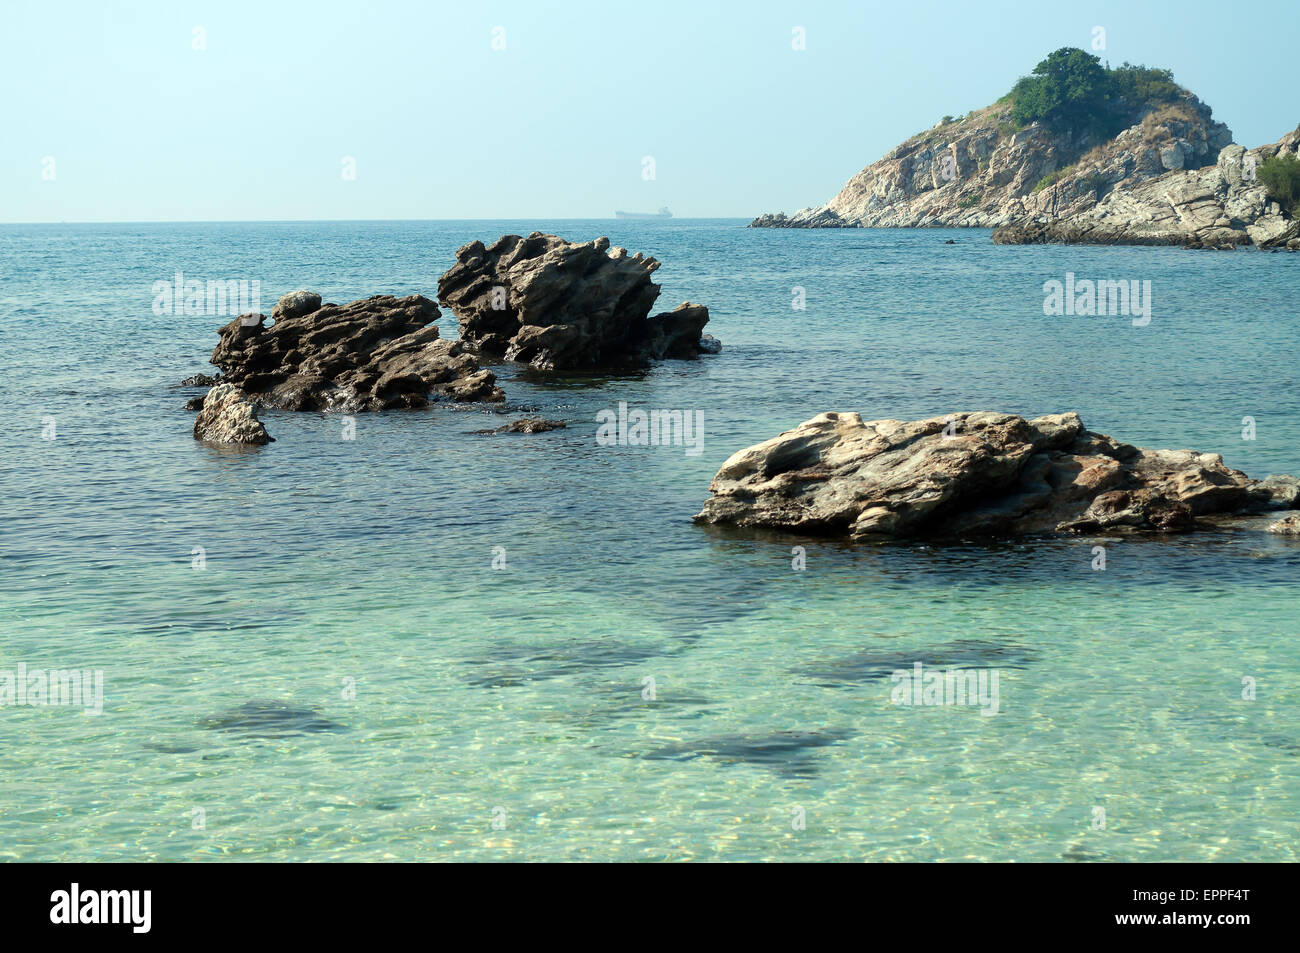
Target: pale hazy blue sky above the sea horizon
236	111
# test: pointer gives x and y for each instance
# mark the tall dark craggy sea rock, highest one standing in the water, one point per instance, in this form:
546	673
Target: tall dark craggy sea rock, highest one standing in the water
561	305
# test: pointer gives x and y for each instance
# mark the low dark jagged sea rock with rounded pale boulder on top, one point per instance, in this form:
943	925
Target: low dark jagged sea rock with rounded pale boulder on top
372	354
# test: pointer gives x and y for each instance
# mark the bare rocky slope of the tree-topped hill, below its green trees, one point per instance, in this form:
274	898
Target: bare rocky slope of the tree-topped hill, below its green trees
981	171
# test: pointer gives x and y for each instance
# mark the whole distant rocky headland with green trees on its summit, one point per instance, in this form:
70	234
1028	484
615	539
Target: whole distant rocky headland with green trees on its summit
1077	153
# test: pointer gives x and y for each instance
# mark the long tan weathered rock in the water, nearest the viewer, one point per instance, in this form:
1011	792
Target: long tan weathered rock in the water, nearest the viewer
973	475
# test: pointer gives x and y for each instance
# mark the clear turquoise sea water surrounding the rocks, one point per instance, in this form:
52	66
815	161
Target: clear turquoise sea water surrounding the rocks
522	690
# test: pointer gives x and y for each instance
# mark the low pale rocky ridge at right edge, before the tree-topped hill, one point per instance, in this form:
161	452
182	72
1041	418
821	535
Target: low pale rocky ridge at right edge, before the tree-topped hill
1220	206
